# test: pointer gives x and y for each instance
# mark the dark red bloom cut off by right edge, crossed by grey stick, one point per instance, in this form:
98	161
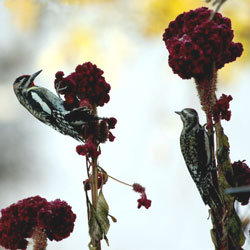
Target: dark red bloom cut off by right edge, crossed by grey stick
241	177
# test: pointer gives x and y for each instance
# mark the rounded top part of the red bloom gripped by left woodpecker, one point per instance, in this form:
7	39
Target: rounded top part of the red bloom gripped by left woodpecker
86	82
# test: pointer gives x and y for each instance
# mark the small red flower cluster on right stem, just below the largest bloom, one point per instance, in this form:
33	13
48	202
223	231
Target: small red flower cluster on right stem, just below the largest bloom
221	108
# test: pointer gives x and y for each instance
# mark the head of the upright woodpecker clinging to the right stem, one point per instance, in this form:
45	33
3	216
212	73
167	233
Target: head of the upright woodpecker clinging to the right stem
189	117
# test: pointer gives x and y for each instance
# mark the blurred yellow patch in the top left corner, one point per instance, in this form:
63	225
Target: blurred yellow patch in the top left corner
25	13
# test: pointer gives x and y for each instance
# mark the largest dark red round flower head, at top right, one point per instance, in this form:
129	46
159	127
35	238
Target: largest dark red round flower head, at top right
195	44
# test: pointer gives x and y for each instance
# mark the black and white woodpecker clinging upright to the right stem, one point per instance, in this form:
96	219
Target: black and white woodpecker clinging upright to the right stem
197	152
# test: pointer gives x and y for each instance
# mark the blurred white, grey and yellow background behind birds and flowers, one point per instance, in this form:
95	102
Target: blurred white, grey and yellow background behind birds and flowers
124	38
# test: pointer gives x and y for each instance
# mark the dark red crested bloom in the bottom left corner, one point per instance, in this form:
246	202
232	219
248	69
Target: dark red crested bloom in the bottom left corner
18	221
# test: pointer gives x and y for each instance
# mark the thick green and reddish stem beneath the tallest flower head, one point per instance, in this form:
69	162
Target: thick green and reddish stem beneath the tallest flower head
226	233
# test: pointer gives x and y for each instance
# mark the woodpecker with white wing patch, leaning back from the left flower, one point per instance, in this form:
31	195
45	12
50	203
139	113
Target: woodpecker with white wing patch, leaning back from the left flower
49	108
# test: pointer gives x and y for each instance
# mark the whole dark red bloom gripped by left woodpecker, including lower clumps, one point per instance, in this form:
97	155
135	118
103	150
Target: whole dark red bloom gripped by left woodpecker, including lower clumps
86	87
